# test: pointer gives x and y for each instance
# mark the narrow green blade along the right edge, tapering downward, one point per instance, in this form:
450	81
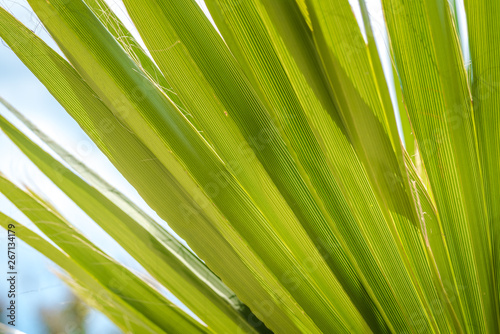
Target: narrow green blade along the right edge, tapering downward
484	40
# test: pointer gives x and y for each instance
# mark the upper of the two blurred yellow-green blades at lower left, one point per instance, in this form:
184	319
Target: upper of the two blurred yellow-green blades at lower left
135	292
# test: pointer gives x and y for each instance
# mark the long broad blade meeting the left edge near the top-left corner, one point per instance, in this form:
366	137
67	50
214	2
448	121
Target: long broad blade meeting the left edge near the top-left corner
184	207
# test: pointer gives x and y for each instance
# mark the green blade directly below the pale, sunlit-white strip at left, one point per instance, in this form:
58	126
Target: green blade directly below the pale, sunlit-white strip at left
164	265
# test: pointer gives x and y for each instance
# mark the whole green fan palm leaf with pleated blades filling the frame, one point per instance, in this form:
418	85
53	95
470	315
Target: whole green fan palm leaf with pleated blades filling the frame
270	146
